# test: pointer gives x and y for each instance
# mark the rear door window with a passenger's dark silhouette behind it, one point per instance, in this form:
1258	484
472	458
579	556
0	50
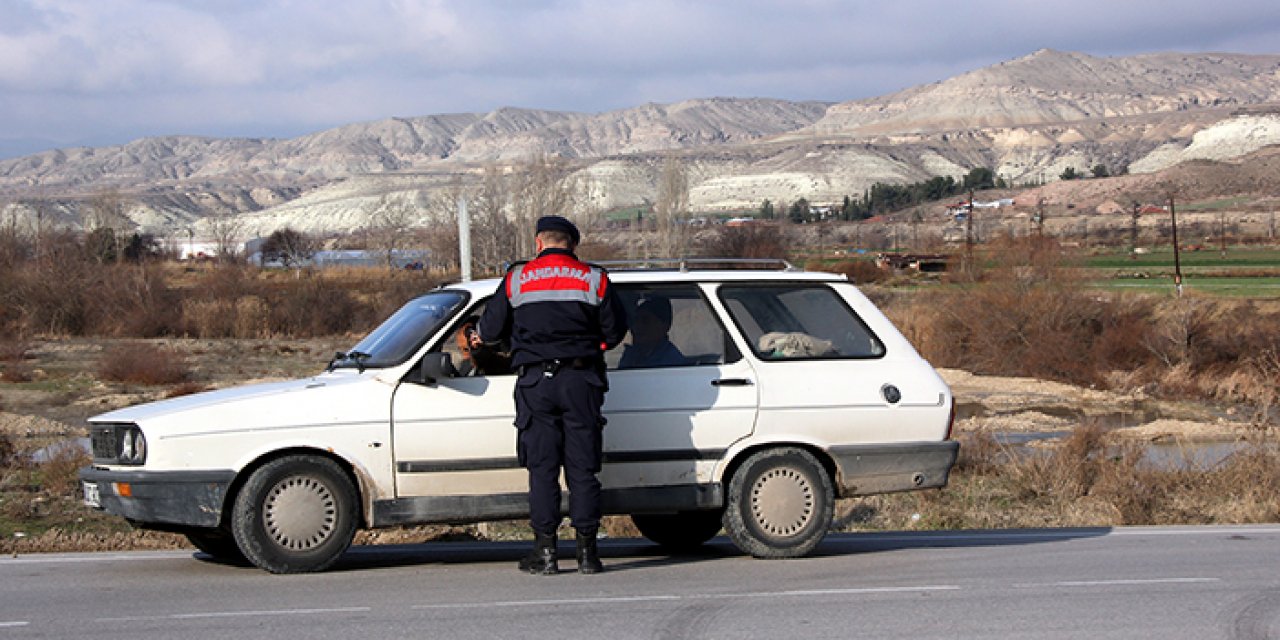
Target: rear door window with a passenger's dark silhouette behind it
671	326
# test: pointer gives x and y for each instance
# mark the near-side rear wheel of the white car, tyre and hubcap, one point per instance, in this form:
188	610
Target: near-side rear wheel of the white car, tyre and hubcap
780	504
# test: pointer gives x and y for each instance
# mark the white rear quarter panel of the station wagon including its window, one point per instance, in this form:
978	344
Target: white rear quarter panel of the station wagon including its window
826	376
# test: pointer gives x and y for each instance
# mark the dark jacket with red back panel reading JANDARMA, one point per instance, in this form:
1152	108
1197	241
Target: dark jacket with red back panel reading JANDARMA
555	307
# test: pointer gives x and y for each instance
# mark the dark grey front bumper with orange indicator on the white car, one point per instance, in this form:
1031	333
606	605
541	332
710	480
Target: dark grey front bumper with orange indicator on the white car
159	499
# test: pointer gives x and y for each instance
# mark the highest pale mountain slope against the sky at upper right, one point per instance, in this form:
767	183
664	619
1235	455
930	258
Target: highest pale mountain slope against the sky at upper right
1053	88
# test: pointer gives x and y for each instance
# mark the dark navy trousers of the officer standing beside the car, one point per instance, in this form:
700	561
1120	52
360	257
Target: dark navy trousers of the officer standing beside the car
560	427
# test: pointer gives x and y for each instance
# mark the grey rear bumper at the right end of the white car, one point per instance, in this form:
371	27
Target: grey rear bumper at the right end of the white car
867	470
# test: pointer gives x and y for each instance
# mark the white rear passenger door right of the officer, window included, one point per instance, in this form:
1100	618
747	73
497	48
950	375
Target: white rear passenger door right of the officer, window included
674	410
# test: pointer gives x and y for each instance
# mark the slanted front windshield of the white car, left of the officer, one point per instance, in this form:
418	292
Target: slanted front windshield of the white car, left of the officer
401	335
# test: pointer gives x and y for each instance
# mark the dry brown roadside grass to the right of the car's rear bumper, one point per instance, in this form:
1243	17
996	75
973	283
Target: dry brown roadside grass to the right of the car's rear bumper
1089	479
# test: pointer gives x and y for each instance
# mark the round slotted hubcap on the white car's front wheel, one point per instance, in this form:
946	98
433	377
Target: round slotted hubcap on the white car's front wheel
300	514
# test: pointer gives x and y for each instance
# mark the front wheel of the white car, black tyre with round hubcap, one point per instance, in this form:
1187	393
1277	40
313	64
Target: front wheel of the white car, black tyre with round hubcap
295	515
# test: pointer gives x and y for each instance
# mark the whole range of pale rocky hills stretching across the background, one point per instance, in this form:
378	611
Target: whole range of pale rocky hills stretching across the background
1028	120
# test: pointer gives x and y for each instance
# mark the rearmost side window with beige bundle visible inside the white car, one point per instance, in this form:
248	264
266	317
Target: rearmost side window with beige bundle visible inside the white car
801	322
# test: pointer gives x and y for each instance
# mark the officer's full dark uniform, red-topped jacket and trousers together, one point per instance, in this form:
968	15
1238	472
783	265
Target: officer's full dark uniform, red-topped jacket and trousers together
561	316
